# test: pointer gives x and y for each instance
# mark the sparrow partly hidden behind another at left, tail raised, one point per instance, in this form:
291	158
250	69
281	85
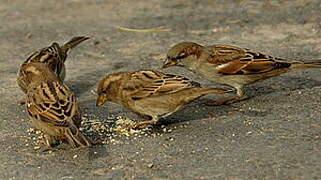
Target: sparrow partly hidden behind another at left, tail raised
54	56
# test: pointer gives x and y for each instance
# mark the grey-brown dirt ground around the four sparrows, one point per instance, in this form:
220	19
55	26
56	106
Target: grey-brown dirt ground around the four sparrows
275	134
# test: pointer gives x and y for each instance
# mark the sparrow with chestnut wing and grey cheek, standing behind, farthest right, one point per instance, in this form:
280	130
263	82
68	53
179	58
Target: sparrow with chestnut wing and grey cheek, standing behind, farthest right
231	65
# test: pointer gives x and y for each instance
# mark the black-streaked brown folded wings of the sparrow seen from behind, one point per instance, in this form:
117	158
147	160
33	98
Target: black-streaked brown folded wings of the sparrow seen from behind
53	103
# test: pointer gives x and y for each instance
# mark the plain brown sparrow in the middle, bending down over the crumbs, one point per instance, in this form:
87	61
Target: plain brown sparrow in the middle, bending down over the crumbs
150	93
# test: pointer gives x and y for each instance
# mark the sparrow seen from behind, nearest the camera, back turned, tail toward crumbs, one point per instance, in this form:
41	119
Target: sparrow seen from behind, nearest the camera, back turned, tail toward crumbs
52	106
